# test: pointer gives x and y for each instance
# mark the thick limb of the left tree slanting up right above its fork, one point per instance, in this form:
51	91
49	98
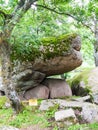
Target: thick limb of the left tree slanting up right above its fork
17	14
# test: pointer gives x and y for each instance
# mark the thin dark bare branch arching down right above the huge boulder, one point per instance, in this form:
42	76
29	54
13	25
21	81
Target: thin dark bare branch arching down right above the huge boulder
67	14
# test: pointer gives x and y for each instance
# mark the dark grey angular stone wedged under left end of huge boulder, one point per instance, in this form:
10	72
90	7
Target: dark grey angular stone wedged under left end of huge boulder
28	80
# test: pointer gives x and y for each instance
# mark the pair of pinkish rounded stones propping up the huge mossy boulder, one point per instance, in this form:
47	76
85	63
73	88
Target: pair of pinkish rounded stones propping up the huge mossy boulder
50	88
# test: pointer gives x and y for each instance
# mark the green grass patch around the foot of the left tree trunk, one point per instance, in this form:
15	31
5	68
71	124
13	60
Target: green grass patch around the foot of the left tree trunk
25	118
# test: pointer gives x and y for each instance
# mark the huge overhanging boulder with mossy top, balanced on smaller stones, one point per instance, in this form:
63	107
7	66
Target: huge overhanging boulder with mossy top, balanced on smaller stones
55	55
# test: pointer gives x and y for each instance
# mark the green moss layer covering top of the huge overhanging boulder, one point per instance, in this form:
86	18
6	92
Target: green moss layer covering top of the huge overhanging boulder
46	48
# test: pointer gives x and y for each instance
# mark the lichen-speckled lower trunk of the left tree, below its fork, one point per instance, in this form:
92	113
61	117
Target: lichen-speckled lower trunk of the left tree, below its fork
8	84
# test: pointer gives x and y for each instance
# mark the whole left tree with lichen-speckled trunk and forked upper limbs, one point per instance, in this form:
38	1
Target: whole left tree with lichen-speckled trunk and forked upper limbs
9	22
